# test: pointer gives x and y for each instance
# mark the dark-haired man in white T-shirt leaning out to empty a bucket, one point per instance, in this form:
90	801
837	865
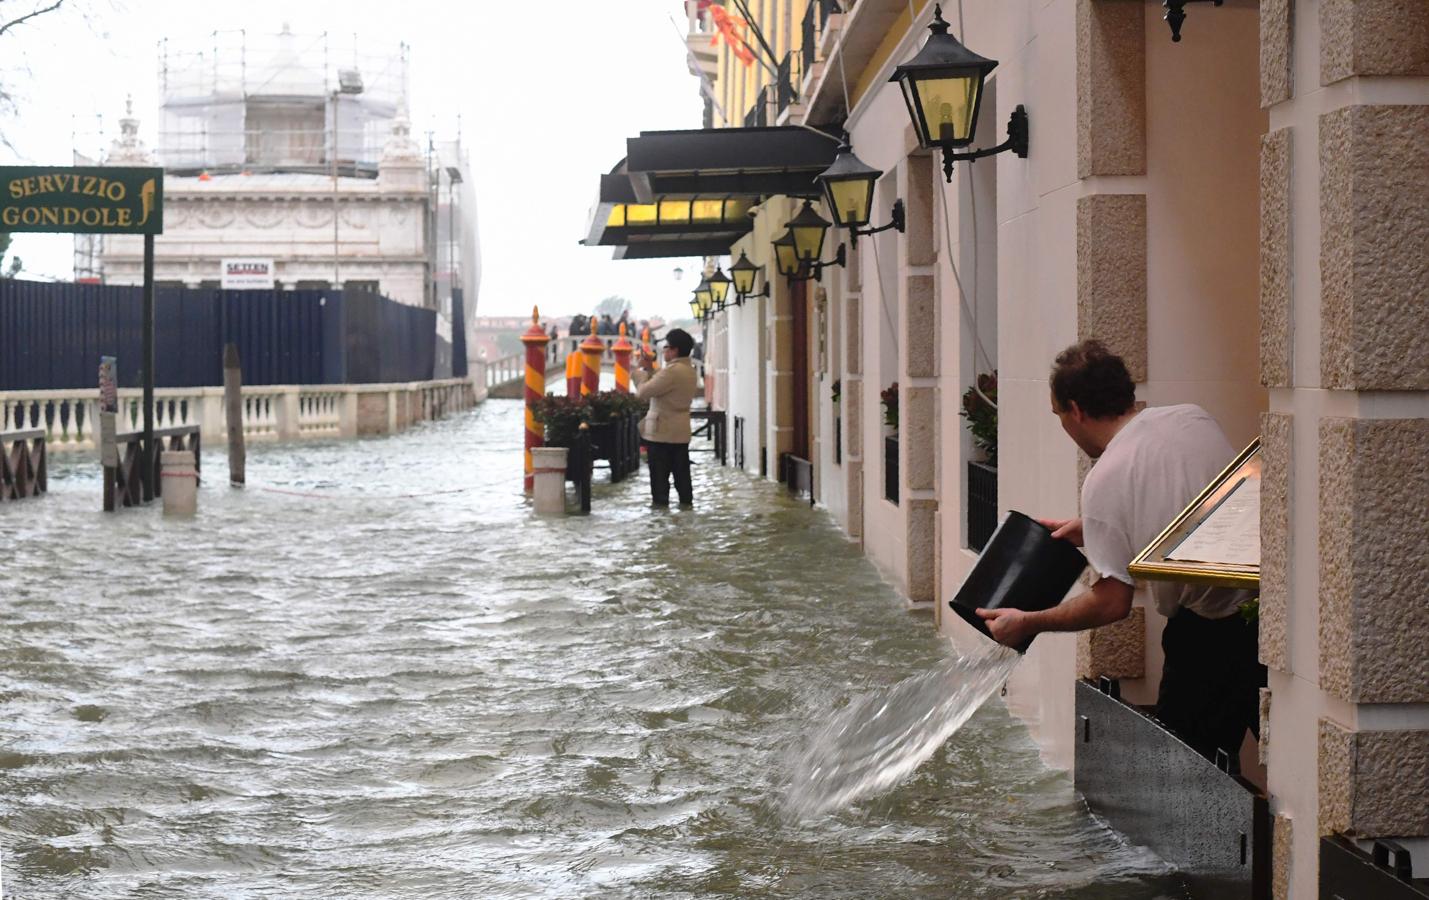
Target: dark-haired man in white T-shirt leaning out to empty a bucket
1150	466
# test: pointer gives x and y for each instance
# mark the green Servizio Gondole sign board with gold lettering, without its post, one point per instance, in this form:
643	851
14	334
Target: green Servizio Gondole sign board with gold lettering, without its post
82	201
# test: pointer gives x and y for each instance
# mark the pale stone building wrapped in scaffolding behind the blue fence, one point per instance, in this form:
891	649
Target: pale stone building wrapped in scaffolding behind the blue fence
297	152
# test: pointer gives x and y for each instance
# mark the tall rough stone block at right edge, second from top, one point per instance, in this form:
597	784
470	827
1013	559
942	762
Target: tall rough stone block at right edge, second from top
1375	248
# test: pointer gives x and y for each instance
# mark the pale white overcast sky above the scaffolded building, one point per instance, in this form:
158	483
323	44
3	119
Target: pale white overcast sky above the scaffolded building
548	95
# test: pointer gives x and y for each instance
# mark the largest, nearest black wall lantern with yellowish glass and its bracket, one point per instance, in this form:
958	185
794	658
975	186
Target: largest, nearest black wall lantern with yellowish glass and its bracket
944	88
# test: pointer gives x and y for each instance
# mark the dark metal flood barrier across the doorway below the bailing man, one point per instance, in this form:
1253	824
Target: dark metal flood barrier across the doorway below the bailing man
1215	828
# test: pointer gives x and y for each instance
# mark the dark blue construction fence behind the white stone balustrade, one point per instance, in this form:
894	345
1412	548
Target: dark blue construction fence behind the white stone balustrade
52	336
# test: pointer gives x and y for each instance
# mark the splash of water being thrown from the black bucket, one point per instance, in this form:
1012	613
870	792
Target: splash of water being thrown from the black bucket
884	736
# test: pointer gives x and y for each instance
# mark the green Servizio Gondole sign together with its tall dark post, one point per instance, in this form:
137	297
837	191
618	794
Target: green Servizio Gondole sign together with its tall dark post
96	201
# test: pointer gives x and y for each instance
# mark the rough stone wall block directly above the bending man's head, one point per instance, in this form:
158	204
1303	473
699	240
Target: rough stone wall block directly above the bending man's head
1111	275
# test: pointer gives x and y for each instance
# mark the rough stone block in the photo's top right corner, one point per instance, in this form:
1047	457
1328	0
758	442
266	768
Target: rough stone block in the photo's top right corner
1373	38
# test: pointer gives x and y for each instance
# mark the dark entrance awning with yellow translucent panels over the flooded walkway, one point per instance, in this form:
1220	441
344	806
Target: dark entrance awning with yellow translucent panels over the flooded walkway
689	194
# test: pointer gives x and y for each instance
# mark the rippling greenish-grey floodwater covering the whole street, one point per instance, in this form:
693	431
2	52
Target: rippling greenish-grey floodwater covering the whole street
327	686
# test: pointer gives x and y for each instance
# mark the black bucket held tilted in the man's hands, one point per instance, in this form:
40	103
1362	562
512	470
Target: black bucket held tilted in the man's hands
1022	568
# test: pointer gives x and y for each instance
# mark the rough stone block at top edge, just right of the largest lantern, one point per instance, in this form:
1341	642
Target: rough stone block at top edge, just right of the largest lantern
1111	88
